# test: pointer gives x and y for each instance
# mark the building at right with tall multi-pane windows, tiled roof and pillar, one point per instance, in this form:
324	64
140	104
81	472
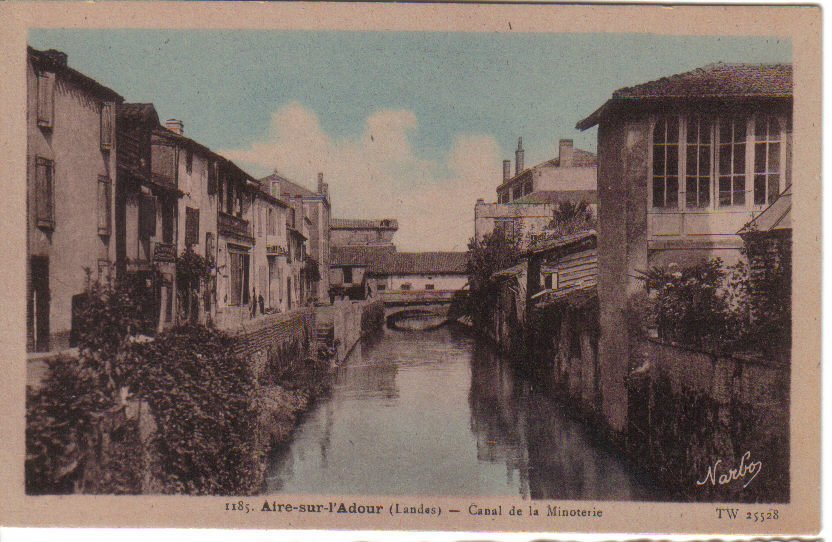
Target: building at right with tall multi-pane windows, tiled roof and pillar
685	162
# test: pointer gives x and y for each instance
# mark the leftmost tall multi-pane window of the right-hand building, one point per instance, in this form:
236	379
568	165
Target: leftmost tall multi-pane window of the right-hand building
666	162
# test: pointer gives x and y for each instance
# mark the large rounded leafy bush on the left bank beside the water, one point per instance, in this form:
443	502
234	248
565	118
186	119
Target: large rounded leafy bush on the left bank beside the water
202	397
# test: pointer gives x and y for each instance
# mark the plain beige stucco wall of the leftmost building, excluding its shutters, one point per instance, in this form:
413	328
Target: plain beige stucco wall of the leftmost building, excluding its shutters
74	145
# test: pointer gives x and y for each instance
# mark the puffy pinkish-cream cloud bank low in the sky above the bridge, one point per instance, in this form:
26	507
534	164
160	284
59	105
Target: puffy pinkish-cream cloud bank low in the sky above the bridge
377	175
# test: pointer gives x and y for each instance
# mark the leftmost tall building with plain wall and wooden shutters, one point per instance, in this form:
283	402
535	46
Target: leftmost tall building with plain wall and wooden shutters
70	174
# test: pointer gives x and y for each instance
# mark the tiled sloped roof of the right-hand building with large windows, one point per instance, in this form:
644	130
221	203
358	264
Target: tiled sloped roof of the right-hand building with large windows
719	80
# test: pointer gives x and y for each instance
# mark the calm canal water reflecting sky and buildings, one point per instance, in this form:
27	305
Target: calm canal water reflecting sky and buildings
440	413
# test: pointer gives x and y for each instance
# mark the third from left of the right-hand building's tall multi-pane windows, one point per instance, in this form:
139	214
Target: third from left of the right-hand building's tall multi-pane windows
732	161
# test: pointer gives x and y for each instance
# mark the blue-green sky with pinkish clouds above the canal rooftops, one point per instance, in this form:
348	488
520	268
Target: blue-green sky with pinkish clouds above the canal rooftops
405	124
